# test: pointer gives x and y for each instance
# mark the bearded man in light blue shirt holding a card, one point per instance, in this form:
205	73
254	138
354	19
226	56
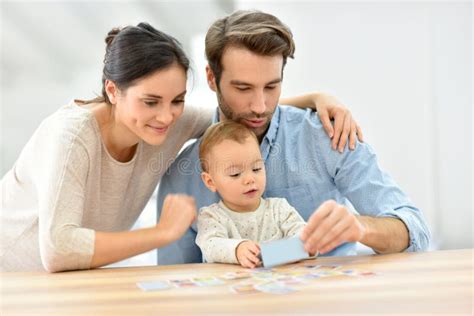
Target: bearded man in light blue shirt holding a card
345	197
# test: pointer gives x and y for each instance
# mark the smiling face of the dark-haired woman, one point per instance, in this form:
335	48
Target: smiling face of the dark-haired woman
152	105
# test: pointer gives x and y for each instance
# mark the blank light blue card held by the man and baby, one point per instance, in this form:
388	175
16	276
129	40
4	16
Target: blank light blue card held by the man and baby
282	251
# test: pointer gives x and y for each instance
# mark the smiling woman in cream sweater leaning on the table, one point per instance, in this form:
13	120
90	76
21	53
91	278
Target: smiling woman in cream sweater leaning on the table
86	174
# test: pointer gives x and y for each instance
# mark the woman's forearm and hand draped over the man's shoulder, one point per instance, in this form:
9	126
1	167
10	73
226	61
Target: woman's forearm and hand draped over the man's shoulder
329	108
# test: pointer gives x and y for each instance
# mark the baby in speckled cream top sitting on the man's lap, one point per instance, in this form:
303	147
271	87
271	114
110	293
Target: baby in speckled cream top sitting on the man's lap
229	231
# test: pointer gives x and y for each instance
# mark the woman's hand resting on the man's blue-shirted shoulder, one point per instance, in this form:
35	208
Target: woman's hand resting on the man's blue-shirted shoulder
345	126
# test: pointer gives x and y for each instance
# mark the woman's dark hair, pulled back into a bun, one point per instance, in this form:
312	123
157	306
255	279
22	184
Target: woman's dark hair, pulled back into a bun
134	52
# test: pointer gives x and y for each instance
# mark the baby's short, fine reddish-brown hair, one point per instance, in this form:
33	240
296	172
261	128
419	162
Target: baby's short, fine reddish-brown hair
217	133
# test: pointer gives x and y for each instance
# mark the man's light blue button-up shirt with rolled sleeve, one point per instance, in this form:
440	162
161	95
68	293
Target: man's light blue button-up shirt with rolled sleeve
301	167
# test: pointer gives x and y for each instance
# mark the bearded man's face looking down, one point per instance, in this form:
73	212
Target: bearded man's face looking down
249	88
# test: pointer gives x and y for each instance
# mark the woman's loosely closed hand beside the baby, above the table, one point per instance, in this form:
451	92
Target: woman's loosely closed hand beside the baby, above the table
177	214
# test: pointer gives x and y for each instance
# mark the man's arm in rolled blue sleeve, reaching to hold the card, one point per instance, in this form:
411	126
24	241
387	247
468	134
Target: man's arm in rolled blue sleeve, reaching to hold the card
389	221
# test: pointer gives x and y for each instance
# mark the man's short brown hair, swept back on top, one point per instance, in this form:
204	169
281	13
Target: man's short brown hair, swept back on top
259	32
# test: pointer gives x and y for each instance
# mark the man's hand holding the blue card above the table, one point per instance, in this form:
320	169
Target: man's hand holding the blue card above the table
329	226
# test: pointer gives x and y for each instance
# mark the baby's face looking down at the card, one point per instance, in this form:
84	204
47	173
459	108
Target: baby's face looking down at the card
238	173
